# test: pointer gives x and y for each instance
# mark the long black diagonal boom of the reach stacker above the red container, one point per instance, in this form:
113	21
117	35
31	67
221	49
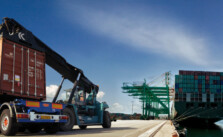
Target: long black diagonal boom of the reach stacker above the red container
13	31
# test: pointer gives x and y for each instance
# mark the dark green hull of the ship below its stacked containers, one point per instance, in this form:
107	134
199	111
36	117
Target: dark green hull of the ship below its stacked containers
197	113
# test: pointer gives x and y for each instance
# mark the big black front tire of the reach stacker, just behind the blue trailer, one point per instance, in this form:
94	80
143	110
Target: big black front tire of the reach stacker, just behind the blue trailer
70	122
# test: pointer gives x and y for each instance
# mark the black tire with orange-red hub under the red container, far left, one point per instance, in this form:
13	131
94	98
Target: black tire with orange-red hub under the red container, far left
8	124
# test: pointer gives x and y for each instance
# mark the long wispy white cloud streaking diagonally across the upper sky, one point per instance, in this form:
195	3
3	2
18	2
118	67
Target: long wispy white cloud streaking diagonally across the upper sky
145	32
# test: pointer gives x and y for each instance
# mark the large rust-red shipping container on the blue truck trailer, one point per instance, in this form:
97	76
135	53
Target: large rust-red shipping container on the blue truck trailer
22	71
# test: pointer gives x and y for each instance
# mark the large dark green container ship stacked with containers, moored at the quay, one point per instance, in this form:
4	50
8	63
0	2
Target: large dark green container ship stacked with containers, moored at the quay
198	97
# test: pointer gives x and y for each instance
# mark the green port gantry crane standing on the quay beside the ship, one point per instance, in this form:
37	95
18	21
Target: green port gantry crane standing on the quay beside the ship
155	99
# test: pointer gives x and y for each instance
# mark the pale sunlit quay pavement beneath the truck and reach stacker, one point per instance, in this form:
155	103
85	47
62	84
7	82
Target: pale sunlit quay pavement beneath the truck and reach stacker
120	128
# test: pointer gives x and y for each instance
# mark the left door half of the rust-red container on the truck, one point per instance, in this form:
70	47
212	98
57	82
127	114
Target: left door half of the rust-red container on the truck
12	68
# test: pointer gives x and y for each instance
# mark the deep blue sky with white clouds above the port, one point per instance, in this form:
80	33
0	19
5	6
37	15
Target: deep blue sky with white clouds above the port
124	41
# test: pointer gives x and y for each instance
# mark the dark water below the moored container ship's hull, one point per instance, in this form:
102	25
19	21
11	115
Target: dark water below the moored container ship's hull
214	131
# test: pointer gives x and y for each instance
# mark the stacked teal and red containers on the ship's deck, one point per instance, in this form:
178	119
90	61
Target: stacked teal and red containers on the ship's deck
199	86
